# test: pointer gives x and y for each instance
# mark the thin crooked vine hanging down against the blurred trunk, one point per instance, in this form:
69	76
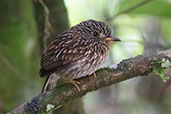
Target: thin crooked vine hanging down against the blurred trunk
47	26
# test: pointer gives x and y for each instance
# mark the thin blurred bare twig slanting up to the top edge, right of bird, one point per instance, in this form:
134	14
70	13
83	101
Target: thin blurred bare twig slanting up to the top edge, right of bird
128	10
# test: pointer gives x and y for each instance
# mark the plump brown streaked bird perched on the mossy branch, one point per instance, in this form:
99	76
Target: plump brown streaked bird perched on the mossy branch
75	53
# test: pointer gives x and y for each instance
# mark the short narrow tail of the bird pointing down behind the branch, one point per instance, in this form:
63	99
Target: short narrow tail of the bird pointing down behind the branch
50	83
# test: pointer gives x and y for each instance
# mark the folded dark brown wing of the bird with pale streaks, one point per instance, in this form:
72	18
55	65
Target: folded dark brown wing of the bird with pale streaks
63	51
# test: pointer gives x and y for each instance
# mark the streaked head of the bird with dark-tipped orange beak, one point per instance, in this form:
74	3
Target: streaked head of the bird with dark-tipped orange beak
96	30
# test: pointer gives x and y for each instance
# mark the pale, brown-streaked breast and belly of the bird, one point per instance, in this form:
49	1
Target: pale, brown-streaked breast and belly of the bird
91	57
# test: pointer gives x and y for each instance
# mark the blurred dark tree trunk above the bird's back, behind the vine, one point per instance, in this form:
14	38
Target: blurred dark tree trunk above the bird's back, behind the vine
58	17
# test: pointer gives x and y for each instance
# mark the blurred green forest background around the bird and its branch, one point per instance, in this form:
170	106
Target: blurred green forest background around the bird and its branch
144	28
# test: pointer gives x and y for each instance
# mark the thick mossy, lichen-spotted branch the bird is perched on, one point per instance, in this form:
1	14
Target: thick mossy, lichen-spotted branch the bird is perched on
127	69
